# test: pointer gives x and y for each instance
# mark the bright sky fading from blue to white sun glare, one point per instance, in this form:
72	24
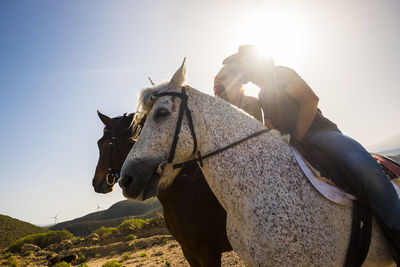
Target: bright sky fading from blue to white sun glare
60	61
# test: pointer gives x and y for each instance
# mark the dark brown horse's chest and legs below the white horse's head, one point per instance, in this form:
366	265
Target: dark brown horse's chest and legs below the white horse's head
195	218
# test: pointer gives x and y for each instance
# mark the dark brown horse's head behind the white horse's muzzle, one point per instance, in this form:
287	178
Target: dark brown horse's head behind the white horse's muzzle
114	146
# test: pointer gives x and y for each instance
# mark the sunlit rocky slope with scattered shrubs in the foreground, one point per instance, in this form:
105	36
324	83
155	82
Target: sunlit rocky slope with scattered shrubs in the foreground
131	244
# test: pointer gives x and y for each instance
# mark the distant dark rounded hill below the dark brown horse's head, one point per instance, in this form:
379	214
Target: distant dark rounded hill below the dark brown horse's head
113	216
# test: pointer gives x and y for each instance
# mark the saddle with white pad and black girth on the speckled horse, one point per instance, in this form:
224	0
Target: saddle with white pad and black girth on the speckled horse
332	179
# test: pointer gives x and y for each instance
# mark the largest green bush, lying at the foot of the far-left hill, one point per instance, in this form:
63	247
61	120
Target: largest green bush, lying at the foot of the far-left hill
42	240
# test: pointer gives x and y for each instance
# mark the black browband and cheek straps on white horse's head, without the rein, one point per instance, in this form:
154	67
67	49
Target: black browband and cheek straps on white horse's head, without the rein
183	109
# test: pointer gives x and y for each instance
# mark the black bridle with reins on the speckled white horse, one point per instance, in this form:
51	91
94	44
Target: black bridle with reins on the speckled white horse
184	109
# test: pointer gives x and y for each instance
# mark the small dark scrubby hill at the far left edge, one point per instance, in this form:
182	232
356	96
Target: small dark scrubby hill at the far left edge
12	229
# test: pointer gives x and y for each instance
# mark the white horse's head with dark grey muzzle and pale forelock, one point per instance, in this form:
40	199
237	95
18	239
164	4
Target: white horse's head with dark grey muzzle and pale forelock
145	167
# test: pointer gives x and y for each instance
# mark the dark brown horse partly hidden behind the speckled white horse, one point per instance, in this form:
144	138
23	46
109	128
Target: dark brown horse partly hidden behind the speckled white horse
192	213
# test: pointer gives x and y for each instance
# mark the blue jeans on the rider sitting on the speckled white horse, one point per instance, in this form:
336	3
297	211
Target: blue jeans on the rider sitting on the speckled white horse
376	188
